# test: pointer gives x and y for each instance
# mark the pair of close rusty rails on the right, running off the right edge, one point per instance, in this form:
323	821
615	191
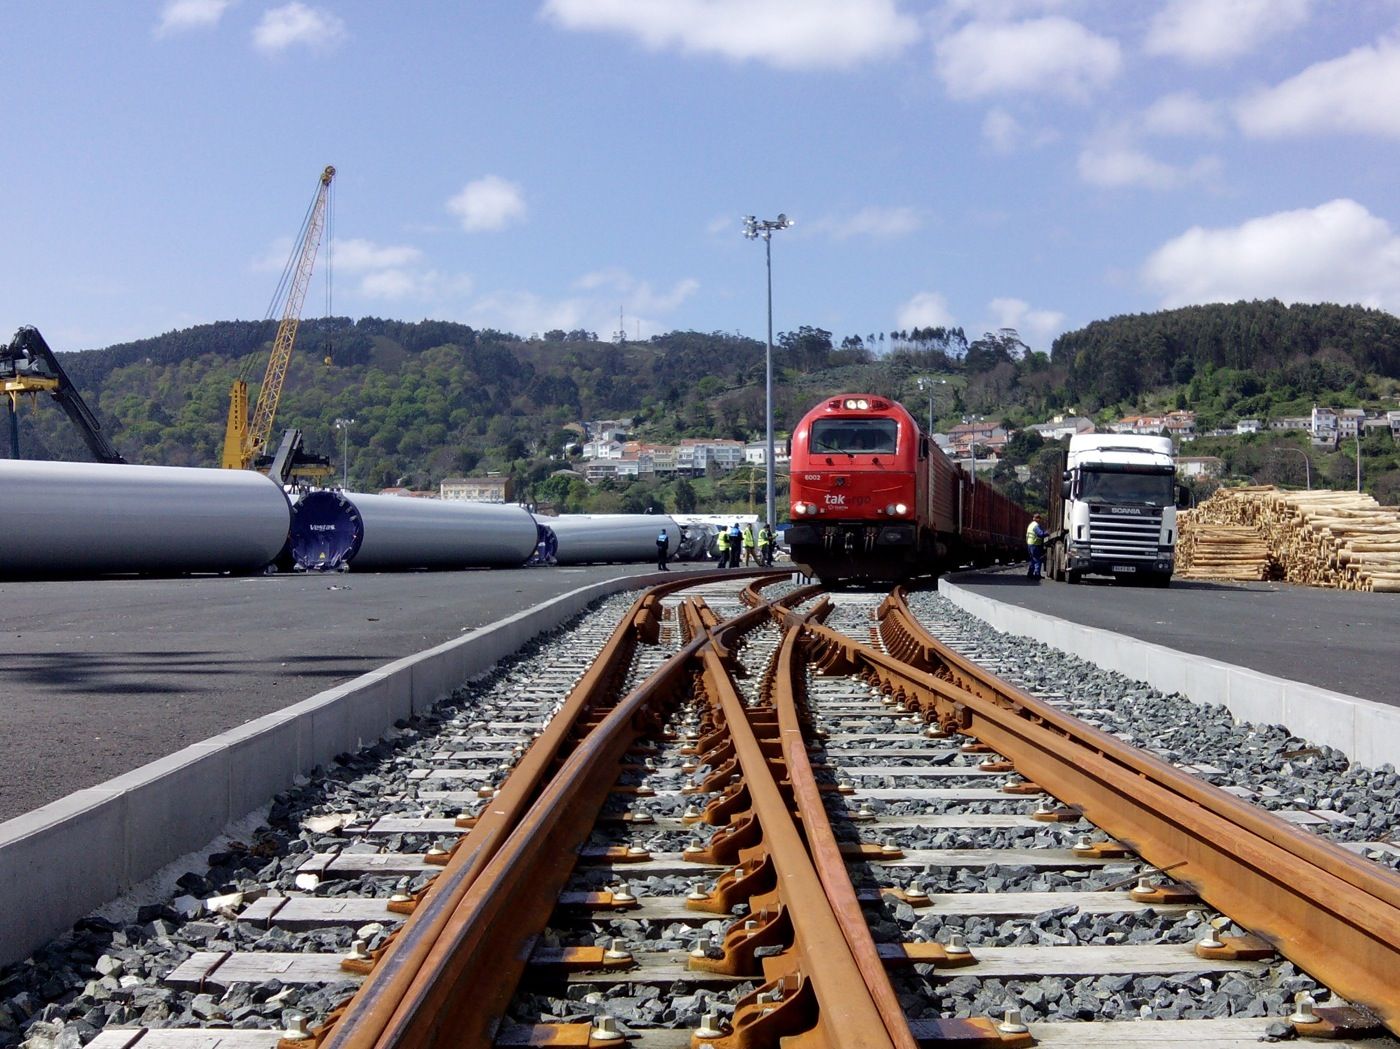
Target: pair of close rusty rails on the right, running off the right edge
1333	914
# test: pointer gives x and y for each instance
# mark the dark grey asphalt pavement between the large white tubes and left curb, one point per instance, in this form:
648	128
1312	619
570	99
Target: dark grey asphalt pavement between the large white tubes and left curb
103	677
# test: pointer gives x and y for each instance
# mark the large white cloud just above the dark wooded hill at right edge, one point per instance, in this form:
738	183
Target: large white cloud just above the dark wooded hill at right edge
1336	253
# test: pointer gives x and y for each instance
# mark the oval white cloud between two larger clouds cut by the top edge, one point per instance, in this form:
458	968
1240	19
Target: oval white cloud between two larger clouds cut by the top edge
1045	55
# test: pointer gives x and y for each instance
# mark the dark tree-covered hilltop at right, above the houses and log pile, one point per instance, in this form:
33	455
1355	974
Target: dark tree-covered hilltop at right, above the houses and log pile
1293	351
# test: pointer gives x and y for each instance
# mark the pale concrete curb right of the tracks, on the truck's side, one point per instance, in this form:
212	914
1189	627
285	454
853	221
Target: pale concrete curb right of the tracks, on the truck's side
1367	732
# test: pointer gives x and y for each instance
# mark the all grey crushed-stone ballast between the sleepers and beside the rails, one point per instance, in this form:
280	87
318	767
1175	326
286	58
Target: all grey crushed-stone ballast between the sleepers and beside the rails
104	971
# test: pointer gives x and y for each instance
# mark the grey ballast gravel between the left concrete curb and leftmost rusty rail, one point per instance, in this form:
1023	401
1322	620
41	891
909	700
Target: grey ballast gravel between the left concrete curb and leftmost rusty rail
107	970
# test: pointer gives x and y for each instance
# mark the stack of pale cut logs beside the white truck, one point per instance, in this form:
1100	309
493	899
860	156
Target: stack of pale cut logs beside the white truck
1340	540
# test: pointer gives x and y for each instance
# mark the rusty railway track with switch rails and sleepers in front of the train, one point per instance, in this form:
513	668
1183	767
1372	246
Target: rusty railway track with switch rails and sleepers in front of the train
765	817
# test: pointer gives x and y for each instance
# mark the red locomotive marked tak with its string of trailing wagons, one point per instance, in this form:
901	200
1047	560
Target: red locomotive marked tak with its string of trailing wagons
876	499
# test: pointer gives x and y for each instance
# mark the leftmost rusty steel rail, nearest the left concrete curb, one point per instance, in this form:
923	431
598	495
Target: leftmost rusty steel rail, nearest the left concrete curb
365	1019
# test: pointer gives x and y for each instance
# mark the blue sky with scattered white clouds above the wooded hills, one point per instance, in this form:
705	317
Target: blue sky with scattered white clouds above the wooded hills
535	165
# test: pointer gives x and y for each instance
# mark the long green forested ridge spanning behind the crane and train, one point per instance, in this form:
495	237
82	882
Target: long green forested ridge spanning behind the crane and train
430	400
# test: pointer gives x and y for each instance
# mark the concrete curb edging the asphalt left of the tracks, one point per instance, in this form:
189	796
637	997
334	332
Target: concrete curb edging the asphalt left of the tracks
68	859
